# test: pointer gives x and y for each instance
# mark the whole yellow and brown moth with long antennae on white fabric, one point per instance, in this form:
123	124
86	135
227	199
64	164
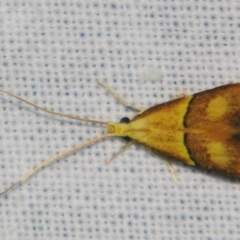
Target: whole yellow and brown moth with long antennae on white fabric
202	130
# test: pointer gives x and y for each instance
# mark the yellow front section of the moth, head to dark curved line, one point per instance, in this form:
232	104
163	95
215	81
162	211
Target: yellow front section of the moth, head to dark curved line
160	128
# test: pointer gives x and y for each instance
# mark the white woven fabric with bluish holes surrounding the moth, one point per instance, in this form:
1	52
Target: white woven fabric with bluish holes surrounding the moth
51	53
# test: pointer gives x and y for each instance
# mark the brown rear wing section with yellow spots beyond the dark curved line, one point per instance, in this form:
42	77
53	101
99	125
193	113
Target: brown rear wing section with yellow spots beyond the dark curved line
216	114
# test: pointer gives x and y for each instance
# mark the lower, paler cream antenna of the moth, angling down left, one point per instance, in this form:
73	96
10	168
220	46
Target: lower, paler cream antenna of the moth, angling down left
54	159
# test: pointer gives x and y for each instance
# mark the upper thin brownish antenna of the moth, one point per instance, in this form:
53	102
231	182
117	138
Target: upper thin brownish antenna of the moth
52	112
